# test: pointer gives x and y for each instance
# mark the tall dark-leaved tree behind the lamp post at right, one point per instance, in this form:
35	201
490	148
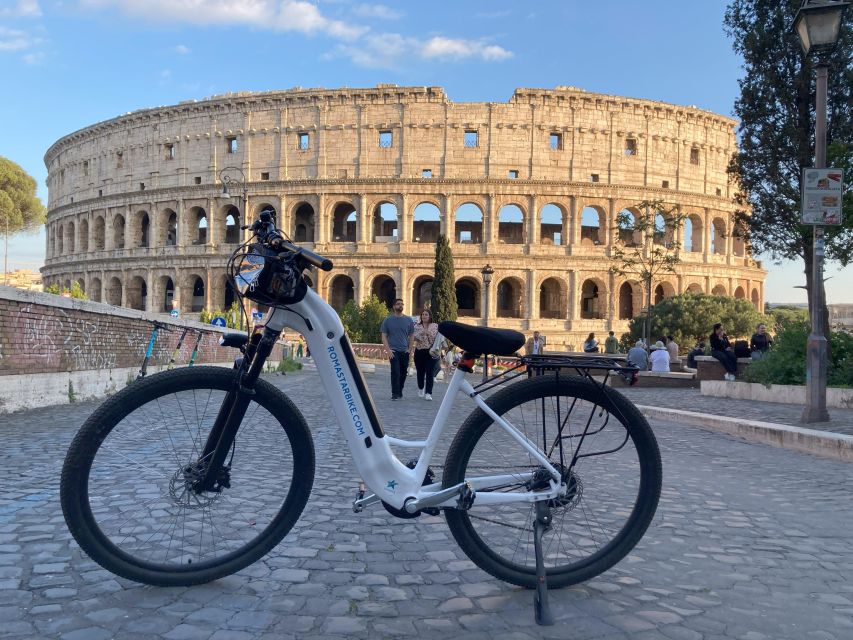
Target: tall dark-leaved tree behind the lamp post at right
777	114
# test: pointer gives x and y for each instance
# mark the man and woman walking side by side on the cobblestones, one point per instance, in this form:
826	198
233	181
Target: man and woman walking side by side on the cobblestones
403	339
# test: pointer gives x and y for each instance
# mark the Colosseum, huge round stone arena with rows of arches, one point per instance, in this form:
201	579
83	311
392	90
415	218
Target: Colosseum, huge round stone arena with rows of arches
370	177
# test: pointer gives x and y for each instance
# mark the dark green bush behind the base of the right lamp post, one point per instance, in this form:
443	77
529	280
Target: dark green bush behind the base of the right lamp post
785	363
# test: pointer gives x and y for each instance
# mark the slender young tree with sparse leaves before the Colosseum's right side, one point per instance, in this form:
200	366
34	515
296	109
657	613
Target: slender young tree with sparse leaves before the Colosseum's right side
650	242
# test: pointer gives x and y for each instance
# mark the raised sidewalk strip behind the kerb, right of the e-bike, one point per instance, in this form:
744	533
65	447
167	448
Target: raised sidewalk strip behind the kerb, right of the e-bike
841	420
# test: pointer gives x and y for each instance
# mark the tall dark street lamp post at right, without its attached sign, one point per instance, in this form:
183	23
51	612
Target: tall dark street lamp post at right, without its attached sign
818	23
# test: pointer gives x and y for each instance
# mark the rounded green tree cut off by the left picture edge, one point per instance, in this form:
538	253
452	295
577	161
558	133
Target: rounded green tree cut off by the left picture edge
20	209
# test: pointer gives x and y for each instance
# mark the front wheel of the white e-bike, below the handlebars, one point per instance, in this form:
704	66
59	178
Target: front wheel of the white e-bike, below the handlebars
126	499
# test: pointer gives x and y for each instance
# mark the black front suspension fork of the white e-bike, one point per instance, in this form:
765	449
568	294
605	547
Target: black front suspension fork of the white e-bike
233	409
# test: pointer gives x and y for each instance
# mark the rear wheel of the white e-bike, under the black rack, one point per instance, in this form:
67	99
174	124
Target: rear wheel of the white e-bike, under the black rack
610	463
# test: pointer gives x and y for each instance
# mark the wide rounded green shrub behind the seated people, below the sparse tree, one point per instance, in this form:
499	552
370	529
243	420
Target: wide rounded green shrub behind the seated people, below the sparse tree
689	317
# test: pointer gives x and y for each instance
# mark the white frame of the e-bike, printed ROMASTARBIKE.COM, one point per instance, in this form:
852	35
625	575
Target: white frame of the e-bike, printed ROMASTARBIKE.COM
387	477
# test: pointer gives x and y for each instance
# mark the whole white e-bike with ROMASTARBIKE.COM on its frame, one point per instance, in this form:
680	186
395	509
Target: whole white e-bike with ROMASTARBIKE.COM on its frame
192	474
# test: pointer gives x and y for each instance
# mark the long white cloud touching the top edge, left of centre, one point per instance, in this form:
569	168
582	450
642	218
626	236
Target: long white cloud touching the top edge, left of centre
282	15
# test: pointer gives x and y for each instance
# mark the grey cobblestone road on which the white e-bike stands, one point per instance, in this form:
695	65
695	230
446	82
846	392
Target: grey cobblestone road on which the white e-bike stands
749	541
